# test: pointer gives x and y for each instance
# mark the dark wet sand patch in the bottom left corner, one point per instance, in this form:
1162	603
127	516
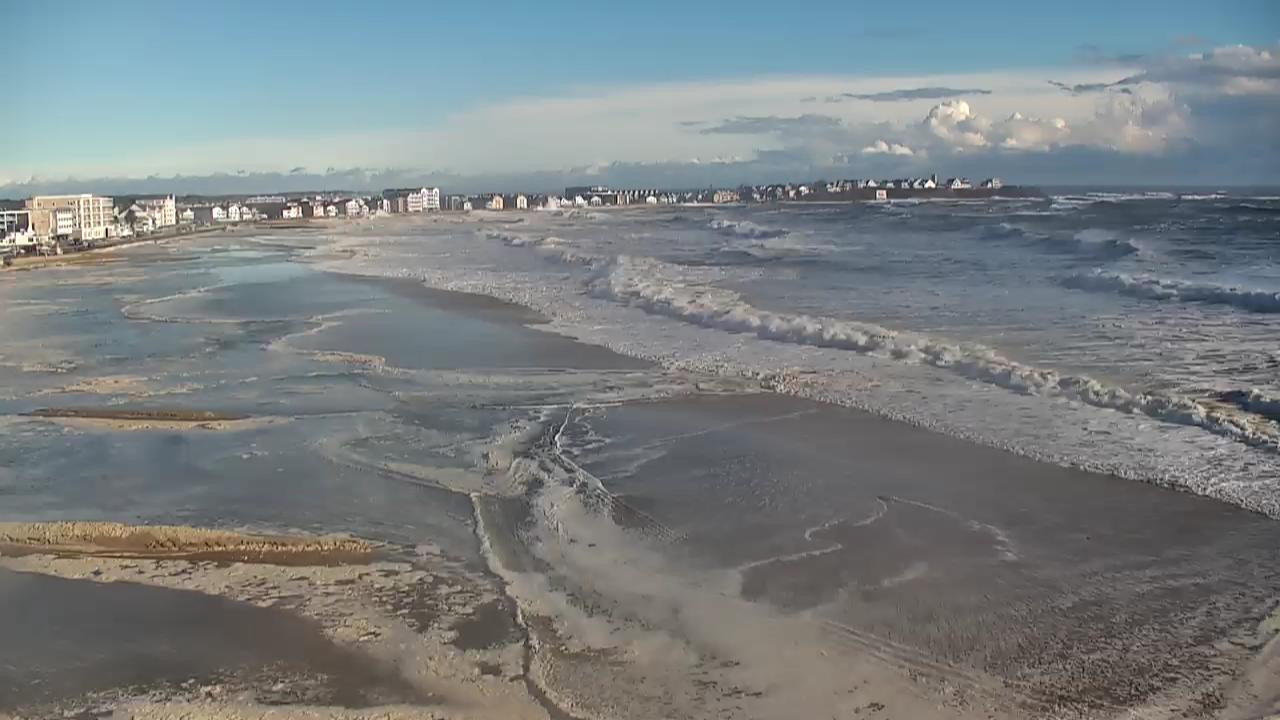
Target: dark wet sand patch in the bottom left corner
74	639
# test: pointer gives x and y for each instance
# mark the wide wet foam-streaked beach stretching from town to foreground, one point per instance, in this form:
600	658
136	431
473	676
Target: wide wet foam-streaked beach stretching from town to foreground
394	490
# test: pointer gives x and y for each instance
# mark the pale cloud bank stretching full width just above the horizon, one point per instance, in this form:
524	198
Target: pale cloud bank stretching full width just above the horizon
1205	119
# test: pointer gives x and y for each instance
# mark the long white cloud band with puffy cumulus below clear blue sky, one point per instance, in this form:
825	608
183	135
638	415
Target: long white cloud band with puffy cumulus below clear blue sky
1136	111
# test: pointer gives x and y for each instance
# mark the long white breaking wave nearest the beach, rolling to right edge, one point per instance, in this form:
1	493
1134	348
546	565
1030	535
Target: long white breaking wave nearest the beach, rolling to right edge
647	284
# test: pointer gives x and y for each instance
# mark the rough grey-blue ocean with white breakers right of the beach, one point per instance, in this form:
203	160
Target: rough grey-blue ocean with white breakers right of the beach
1133	334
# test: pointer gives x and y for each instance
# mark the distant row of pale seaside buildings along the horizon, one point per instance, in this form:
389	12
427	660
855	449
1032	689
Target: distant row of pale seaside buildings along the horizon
60	224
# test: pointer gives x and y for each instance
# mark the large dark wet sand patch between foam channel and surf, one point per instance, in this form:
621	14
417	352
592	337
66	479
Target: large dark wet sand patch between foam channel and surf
1084	591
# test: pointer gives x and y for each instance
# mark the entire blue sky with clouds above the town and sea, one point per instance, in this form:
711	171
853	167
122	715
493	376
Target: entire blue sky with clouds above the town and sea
236	97
